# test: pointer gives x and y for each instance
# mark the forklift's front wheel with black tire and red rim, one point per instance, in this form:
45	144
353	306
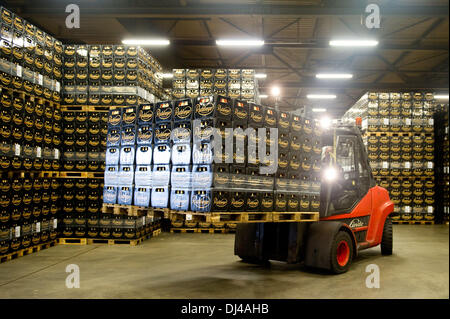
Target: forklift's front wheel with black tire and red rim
340	261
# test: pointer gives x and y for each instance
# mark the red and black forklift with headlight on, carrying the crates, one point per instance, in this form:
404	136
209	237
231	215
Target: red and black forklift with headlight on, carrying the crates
354	214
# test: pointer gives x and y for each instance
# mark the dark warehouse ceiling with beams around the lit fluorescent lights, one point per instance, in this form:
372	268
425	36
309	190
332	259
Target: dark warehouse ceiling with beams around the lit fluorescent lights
412	51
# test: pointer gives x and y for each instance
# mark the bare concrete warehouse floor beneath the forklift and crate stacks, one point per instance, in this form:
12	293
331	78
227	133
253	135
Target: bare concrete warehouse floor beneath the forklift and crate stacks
203	266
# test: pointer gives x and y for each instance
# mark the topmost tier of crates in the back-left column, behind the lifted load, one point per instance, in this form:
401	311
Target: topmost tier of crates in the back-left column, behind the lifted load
110	75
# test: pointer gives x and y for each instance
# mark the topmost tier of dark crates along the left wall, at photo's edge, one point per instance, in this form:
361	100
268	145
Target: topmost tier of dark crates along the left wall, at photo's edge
30	59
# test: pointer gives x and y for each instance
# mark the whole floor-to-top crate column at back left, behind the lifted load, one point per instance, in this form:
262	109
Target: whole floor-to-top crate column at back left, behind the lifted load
97	79
